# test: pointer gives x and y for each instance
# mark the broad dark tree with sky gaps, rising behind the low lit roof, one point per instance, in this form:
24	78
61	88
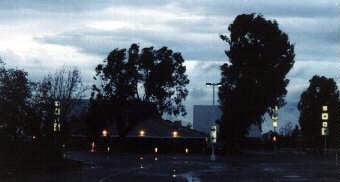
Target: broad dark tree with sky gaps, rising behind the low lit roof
135	83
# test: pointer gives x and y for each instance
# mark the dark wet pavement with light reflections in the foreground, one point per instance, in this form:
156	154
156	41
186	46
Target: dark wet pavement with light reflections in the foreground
249	167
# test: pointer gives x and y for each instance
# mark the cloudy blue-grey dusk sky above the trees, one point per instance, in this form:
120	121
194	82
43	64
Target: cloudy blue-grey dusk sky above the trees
40	36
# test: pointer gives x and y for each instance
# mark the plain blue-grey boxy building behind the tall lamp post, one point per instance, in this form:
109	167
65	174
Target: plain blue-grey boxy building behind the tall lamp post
204	116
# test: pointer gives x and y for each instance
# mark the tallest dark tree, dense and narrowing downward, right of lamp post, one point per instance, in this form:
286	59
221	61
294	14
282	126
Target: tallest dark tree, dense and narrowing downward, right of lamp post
254	79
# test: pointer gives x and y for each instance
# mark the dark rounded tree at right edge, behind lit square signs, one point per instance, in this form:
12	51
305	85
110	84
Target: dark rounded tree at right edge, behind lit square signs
322	91
